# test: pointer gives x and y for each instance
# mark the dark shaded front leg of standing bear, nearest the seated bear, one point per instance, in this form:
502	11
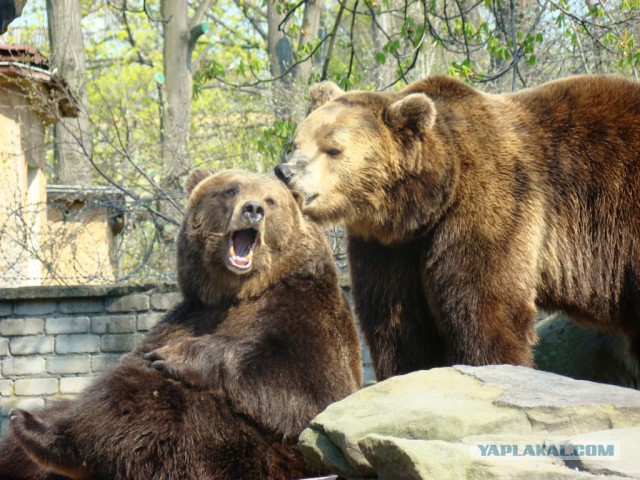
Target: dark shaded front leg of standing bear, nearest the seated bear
391	307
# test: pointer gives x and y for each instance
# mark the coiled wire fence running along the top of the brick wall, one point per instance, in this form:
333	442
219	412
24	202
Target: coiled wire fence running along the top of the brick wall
96	241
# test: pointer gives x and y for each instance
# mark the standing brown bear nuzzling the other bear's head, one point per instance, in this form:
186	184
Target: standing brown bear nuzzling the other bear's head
465	211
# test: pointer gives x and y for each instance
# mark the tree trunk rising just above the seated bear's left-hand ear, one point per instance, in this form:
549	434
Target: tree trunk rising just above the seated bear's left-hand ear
178	92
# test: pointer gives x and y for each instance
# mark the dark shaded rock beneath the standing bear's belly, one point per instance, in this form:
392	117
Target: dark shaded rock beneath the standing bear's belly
578	352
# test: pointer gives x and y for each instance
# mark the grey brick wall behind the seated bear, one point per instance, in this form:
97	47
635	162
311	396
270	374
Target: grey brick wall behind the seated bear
55	340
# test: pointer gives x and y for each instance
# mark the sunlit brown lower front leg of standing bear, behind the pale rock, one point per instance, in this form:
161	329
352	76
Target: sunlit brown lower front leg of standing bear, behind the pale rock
485	312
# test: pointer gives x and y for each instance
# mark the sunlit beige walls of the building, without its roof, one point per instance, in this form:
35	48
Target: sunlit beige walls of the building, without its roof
33	249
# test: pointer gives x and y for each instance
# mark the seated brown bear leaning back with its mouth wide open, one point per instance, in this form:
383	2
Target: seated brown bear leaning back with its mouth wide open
223	385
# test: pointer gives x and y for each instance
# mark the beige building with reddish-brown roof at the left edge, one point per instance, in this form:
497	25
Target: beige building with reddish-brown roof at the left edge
43	239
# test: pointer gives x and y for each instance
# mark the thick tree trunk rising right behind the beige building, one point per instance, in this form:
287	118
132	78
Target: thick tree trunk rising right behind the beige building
72	135
